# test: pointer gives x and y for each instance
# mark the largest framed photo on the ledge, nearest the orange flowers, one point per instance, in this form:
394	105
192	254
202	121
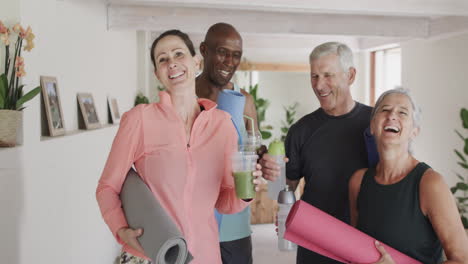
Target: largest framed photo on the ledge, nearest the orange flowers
53	108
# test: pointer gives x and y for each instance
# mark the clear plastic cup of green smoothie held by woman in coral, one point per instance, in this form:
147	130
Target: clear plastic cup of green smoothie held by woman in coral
243	166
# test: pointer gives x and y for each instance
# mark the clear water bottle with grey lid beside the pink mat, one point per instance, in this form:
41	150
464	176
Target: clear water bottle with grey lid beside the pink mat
286	200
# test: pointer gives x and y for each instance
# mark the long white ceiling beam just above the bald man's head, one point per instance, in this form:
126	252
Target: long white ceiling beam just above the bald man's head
196	20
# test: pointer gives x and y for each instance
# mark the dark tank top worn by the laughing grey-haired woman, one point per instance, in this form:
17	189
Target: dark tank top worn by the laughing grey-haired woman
392	214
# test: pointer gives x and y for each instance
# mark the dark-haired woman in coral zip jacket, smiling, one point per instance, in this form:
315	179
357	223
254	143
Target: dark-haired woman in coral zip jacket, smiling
181	148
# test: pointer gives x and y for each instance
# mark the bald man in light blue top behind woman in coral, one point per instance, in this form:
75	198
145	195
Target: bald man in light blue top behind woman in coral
222	53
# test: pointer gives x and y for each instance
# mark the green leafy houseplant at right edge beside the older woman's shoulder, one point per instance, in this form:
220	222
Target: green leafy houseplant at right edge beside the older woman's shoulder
461	187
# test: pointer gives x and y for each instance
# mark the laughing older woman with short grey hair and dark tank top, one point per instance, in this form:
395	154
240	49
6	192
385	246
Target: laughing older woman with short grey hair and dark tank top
403	202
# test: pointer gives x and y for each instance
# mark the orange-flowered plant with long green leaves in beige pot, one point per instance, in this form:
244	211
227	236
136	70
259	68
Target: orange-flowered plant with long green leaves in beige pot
12	96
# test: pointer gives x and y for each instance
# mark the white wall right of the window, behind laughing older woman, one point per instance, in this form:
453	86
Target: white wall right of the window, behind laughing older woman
436	71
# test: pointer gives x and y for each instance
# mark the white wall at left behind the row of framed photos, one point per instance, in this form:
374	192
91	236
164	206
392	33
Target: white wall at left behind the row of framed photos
49	211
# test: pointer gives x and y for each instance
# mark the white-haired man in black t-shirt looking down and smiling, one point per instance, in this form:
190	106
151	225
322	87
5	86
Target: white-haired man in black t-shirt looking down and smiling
327	146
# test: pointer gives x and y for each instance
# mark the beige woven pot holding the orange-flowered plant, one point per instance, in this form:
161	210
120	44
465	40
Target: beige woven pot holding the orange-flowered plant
10	121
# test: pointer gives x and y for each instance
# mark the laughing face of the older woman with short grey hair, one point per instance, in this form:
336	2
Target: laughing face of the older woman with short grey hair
393	121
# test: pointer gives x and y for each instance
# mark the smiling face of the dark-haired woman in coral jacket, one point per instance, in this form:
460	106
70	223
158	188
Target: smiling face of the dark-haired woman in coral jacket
175	66
